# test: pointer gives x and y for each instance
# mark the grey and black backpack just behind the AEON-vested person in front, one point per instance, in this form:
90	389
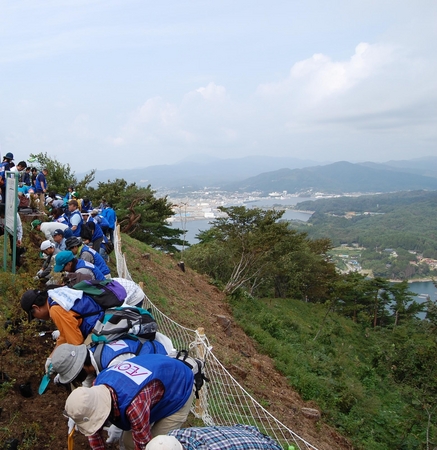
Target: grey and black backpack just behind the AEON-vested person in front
120	322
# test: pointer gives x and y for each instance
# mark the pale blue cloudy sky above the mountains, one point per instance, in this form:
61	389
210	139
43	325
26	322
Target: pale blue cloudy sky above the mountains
133	83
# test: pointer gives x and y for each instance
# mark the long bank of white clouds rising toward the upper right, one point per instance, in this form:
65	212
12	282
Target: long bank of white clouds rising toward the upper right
342	100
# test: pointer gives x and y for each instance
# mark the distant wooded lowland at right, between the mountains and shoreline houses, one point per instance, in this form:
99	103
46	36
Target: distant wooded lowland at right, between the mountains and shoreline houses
402	221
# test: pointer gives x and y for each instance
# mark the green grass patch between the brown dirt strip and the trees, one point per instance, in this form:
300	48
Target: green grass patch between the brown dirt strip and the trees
338	369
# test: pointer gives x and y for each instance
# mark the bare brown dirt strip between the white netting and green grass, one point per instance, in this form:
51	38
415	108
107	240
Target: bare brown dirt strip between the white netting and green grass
189	299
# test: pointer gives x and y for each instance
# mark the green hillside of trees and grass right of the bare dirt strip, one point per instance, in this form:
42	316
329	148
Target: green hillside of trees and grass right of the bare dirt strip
353	345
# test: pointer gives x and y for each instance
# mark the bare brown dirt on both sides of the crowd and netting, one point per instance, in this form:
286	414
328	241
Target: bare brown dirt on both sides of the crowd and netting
36	422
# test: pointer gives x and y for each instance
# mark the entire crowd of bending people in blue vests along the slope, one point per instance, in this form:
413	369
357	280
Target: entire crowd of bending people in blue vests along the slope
138	390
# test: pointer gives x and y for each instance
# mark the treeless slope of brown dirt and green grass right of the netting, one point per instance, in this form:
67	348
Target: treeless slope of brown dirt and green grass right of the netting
343	368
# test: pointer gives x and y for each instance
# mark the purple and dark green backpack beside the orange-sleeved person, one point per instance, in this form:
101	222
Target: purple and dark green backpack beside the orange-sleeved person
106	293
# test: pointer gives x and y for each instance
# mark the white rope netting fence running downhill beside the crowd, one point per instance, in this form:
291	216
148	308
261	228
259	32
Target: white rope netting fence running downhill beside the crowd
222	401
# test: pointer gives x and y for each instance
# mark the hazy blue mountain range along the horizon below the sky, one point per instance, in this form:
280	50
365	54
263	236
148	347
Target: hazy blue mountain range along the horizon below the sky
271	174
